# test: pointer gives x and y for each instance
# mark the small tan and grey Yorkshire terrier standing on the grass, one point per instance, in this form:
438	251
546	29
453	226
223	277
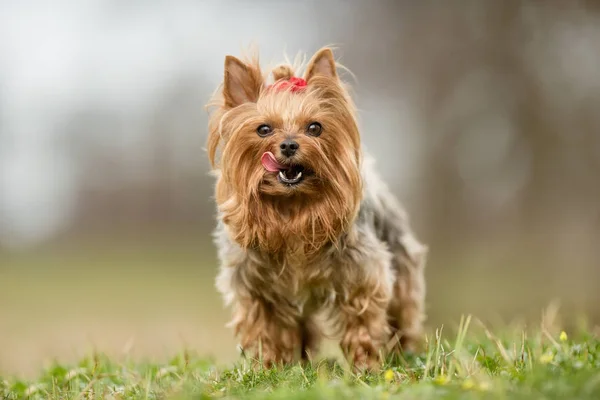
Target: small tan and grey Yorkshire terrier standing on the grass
309	236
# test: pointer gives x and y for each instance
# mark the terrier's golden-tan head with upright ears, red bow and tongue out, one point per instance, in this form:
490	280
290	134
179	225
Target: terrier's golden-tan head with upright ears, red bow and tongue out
289	152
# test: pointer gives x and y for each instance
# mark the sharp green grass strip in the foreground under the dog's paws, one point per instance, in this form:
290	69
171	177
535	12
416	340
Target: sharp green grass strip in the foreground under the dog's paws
472	362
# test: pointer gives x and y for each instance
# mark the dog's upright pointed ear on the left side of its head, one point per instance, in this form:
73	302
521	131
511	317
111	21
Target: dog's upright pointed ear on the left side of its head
242	83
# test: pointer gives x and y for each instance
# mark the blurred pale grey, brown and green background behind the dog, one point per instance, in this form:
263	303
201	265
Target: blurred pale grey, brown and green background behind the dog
484	117
